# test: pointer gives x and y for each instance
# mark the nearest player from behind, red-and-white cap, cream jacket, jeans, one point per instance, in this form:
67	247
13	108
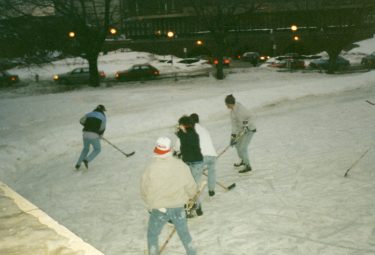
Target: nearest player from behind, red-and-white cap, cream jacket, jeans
166	185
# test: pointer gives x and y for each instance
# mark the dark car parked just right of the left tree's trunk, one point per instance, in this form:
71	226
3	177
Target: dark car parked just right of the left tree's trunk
138	72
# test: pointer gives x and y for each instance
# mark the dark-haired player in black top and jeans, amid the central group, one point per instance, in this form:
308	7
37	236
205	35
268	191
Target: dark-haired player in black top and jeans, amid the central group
190	151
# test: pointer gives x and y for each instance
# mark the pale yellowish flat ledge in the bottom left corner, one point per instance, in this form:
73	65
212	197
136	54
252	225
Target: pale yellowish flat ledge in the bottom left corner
25	229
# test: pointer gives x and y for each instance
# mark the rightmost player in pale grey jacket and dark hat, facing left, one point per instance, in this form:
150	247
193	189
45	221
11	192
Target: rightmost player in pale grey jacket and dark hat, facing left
243	130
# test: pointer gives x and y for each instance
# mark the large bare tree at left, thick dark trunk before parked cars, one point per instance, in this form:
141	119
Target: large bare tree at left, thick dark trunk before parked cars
89	20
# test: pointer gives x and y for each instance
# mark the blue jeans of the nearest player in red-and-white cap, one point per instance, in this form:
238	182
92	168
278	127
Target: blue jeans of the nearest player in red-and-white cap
156	223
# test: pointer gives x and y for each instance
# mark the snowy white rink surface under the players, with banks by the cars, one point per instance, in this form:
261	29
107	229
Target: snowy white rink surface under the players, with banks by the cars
311	128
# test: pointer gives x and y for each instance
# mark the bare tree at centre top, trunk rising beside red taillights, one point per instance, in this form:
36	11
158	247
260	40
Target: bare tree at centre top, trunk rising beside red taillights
219	17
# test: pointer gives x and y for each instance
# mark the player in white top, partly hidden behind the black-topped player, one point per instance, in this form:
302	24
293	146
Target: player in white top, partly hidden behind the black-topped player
208	151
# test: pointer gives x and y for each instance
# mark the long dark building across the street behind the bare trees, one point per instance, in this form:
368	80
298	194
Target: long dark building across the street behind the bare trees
265	28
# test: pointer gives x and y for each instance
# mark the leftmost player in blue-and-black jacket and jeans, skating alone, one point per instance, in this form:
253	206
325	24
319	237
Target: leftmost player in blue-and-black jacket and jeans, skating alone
94	124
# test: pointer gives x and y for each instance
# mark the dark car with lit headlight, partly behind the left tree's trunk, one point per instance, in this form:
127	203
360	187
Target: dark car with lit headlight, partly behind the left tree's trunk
76	76
